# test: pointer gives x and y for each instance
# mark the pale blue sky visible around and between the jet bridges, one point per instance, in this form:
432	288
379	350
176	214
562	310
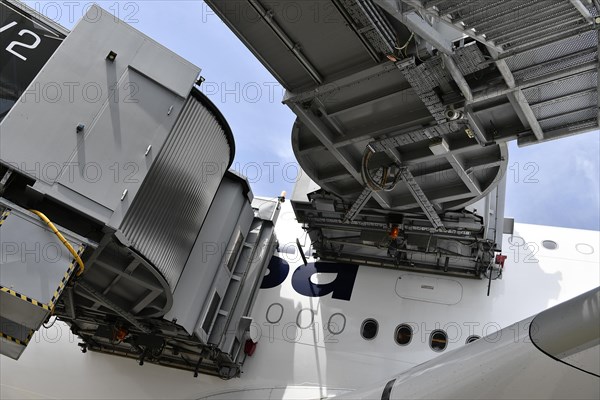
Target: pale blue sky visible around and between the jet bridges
555	183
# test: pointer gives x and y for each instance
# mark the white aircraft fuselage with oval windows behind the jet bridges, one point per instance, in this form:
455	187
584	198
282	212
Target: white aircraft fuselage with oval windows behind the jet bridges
308	325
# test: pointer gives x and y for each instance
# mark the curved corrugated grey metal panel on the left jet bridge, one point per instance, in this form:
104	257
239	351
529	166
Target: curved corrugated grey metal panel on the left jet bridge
168	211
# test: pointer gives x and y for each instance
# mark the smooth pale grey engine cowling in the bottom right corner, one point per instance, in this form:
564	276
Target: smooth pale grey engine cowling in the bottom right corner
508	368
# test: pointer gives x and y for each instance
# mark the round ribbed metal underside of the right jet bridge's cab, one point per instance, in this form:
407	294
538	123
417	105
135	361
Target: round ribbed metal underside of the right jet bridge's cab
451	179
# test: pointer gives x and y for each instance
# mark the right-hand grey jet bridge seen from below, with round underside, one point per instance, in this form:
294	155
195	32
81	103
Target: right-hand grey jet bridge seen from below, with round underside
404	110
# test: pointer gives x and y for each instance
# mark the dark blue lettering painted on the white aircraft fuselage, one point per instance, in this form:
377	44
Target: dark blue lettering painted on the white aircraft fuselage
340	288
